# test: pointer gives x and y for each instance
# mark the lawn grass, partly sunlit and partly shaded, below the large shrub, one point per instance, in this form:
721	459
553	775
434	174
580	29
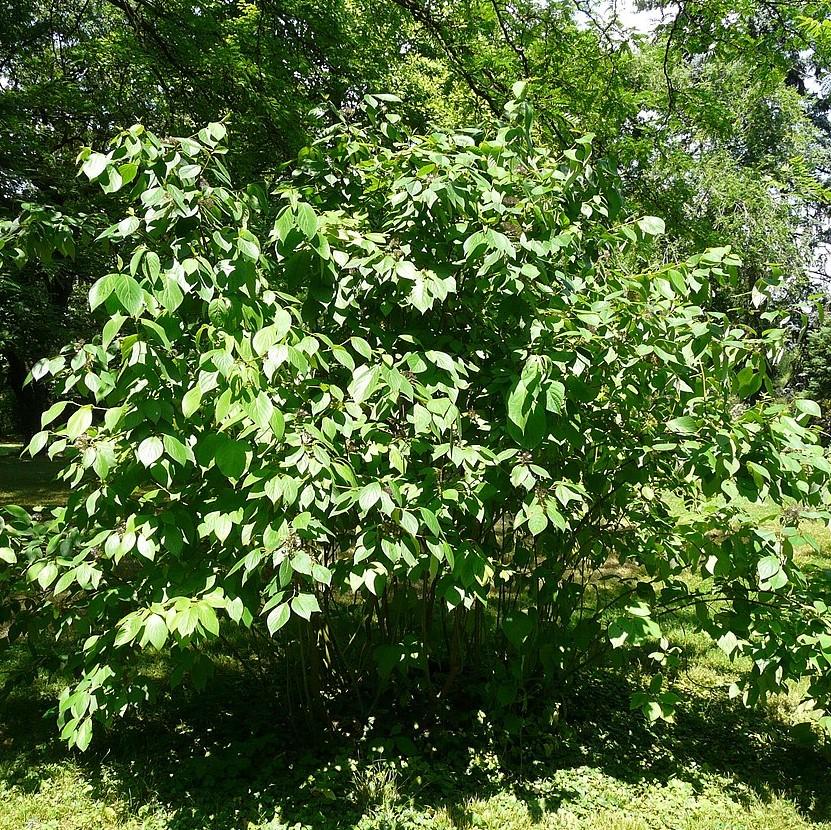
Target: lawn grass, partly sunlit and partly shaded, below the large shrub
227	758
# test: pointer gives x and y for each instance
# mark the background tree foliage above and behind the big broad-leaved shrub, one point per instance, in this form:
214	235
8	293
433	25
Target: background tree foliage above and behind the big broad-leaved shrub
717	119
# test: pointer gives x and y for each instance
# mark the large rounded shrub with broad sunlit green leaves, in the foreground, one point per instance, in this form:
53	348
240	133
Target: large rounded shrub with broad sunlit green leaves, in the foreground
435	373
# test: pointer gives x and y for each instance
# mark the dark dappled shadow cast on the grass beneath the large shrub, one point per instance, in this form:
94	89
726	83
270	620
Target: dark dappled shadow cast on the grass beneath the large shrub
230	756
